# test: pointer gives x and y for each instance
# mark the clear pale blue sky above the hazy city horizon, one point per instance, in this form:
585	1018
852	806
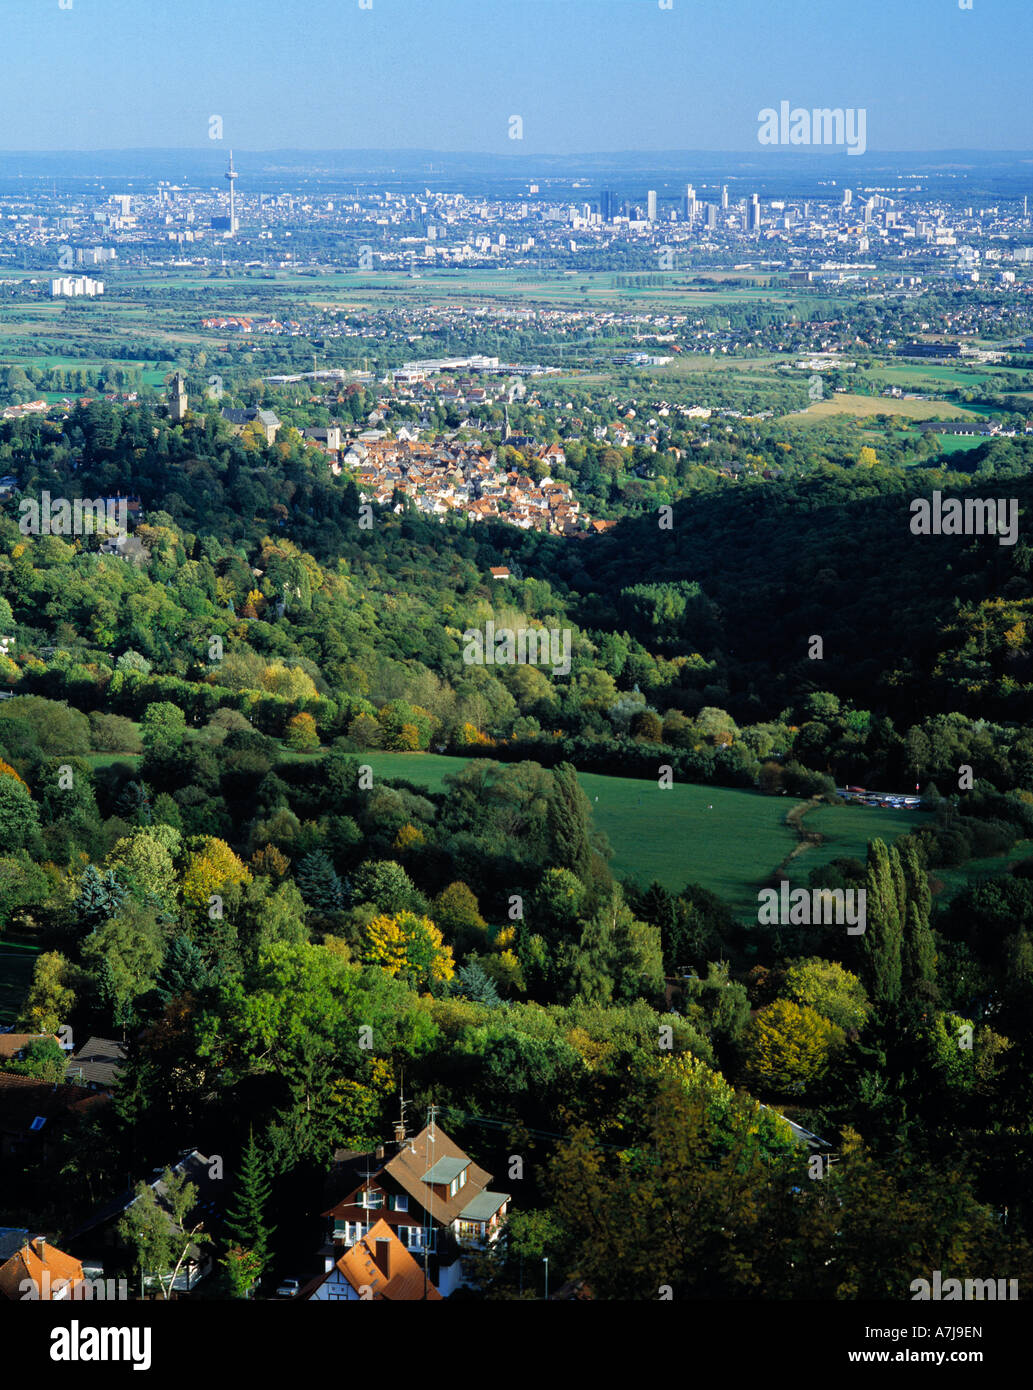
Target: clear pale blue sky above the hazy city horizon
585	76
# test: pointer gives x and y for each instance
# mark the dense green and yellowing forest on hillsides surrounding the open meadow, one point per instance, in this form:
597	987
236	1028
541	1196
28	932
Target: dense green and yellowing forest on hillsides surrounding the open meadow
194	842
